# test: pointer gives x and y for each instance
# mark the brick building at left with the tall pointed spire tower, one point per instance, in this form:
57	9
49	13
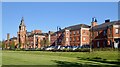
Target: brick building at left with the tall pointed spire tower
25	39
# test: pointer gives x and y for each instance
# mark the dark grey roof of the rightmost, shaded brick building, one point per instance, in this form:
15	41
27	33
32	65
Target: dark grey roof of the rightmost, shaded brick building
106	25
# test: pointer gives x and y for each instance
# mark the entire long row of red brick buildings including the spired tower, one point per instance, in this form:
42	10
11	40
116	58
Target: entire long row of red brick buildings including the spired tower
106	34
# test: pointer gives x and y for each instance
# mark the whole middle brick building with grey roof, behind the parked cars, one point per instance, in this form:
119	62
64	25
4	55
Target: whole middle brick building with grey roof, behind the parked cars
71	36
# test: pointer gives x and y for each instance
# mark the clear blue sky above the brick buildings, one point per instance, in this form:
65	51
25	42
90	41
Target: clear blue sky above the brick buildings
46	16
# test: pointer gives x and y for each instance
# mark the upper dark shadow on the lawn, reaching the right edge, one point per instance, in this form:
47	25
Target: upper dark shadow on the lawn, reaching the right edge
98	59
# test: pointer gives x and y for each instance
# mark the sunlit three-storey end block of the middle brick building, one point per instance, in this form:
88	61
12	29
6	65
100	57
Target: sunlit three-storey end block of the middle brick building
79	35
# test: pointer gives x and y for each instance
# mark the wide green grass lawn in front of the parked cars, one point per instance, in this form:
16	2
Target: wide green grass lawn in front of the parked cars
45	58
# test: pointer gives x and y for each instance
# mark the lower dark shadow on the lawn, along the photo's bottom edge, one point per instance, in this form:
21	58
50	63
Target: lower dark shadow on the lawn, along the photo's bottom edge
74	64
